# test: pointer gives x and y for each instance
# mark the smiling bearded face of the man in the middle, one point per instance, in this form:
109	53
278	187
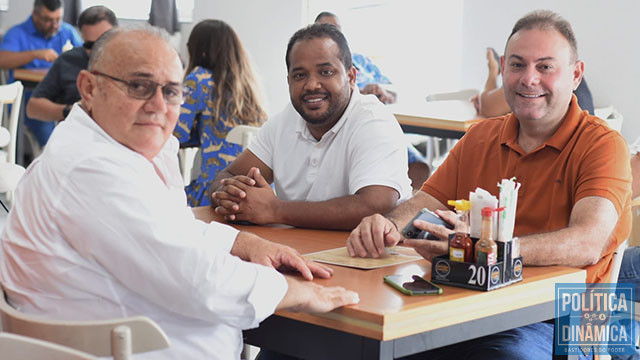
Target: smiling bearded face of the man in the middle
319	86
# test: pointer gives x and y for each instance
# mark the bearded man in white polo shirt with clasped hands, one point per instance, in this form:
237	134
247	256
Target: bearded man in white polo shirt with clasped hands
331	148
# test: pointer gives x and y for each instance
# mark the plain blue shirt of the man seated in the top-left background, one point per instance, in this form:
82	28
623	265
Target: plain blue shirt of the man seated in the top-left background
25	37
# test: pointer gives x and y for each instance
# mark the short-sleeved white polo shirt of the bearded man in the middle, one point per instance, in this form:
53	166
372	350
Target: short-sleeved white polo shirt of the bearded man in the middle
365	147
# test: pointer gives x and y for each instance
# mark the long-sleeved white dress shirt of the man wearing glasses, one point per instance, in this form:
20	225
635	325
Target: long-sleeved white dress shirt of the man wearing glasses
98	231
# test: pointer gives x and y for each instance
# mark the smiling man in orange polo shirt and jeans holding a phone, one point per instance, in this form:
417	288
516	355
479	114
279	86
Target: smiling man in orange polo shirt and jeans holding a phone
574	202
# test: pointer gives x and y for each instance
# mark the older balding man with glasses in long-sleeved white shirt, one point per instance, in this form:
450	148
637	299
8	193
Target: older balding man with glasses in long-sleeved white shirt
101	228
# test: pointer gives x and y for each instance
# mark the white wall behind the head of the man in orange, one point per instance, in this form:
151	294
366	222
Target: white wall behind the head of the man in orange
607	34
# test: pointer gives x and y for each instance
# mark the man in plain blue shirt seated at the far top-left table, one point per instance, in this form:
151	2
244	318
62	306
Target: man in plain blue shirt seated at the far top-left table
37	43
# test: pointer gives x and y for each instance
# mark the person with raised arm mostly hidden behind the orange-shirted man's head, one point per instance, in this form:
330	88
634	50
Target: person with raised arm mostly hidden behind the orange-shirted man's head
491	101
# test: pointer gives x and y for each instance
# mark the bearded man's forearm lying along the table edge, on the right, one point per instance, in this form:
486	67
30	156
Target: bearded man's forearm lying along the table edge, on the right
343	213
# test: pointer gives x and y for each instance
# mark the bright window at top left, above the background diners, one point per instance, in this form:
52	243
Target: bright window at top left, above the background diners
139	9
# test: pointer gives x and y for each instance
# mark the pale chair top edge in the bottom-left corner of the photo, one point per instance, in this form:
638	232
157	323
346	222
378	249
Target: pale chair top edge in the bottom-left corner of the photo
21	347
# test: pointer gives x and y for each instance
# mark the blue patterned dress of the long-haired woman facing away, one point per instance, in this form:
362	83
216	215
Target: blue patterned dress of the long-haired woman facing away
197	127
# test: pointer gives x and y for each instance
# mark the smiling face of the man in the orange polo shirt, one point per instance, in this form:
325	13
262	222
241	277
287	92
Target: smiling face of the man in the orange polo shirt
540	73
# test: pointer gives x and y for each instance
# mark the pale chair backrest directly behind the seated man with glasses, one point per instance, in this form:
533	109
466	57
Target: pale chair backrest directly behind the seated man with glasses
111	337
